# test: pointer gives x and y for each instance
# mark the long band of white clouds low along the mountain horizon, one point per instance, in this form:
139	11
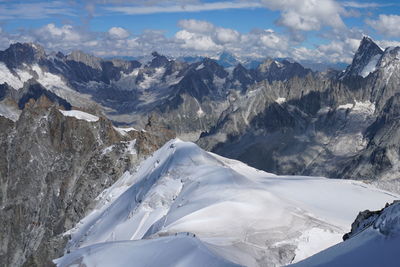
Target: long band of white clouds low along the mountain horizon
194	38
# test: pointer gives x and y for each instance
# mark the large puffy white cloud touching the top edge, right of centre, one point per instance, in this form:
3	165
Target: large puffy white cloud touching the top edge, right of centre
307	15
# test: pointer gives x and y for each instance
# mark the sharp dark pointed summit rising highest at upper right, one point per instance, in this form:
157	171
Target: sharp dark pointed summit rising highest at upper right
365	59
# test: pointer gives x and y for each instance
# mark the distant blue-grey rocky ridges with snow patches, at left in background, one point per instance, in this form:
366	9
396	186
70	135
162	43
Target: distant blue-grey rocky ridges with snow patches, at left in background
128	91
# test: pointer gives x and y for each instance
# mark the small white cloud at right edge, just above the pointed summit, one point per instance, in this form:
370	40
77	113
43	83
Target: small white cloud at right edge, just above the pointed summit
387	25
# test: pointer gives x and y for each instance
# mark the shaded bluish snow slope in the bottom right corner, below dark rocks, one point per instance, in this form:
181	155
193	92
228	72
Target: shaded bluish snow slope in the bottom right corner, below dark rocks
377	245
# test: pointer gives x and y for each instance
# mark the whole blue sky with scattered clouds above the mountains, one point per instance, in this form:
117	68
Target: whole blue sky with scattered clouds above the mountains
304	30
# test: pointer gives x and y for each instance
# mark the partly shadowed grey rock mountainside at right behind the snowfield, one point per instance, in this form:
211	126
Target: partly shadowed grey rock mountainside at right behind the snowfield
341	126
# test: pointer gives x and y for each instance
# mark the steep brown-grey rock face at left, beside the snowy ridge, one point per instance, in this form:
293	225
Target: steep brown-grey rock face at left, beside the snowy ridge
52	168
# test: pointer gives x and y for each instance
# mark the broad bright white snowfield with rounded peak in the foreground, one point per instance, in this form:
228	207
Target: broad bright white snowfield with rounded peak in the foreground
235	214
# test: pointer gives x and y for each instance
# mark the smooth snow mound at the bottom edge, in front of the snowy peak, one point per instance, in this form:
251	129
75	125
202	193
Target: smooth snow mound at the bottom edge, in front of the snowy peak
177	251
